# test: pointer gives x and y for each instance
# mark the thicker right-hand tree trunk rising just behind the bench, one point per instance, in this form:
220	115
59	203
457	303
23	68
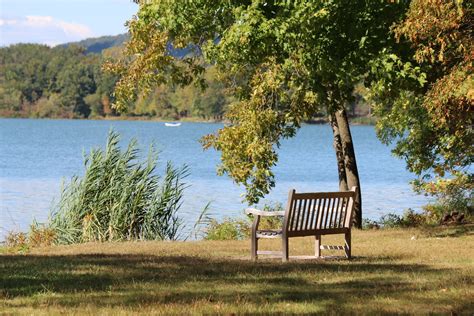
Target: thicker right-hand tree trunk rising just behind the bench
352	175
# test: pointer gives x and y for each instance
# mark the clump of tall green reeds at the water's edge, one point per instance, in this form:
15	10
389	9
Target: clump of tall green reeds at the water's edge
120	198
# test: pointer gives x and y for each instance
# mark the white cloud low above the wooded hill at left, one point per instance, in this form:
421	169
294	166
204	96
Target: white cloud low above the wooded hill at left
41	29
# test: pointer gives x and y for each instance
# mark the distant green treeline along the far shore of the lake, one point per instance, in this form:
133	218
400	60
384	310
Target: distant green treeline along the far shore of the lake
67	81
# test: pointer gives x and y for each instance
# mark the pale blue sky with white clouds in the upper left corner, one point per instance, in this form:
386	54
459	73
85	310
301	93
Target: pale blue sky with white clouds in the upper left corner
54	22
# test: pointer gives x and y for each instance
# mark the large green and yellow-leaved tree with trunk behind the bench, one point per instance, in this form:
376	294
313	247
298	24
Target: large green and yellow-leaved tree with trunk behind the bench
284	61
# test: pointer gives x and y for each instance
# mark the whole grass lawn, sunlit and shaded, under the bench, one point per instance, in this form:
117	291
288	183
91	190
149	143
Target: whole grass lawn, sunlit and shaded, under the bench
393	271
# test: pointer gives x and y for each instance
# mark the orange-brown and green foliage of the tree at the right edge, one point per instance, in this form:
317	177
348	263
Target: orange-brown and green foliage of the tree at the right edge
425	96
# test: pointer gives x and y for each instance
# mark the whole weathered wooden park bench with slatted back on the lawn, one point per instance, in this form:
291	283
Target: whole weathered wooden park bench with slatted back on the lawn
308	214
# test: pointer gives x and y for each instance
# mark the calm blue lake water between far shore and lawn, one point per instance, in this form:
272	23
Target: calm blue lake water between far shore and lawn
35	155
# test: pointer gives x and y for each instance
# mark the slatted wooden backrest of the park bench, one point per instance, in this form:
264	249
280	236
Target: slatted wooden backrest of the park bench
308	212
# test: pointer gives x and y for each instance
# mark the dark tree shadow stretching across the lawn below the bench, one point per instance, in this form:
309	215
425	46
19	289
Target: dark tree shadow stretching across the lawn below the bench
134	280
